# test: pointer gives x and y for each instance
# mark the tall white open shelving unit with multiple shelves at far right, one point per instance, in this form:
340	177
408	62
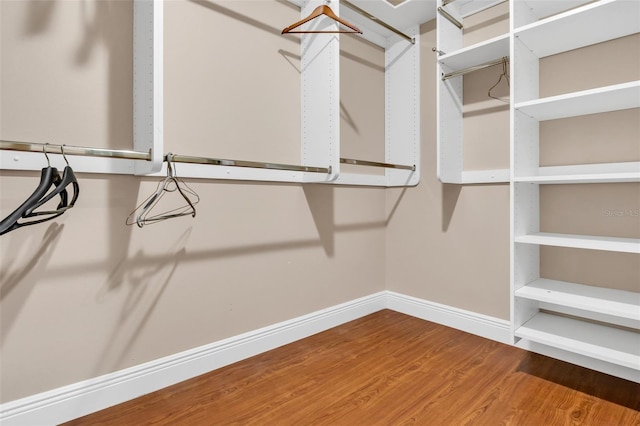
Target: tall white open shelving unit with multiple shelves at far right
597	327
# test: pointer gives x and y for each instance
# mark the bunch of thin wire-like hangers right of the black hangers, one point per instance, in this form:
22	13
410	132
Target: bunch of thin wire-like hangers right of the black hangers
170	184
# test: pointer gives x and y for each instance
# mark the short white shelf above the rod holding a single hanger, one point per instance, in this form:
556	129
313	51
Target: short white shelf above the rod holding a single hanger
486	51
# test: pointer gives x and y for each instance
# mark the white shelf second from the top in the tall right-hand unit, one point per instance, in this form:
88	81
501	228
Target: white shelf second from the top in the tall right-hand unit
593	101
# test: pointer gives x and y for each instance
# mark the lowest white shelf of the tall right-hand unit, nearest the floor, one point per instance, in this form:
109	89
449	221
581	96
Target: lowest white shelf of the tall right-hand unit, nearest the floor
608	344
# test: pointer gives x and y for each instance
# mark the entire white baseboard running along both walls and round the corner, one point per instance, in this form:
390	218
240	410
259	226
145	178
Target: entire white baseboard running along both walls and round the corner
79	399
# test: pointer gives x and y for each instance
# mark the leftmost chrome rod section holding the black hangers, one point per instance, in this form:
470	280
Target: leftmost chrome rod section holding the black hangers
74	150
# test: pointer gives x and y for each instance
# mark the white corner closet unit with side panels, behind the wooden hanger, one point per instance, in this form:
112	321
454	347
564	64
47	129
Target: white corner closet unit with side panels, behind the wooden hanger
321	87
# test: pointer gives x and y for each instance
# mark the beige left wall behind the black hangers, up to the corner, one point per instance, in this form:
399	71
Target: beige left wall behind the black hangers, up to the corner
85	295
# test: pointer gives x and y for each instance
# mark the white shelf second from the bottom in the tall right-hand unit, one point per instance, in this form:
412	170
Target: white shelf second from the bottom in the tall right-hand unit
619	303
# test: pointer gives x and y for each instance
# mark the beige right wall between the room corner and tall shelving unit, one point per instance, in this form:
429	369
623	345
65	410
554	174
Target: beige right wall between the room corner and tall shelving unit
450	243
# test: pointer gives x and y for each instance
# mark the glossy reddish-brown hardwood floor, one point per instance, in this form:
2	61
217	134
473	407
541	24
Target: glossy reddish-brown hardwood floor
388	369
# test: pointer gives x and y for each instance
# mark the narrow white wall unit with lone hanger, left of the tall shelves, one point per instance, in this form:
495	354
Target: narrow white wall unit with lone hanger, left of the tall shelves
454	58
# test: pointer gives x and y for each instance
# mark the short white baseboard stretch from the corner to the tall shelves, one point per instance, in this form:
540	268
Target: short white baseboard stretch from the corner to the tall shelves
470	322
